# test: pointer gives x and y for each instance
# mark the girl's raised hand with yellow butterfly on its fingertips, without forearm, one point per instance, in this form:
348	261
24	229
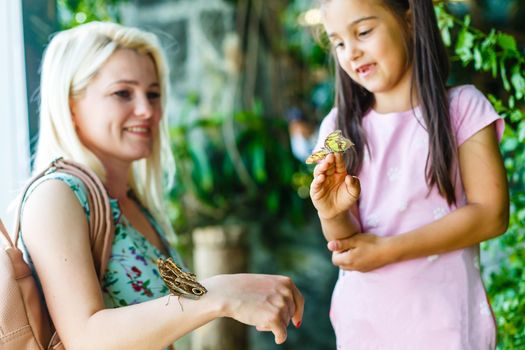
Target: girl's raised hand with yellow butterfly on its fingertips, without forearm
333	191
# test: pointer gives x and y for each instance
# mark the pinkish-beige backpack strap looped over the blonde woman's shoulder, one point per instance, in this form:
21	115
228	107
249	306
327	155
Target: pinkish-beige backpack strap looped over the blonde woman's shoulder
101	227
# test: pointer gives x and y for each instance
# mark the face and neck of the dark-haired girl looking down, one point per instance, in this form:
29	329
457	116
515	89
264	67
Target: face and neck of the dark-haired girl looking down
371	46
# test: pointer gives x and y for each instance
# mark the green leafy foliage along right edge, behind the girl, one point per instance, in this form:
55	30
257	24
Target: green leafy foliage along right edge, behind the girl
498	54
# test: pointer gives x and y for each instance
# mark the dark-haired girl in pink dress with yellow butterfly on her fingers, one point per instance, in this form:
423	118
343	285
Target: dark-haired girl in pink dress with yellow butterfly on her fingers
432	184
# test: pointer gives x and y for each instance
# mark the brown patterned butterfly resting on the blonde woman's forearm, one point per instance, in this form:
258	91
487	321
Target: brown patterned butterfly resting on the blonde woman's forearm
179	283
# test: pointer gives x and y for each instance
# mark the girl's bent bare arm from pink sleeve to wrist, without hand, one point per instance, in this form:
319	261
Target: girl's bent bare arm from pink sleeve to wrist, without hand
486	214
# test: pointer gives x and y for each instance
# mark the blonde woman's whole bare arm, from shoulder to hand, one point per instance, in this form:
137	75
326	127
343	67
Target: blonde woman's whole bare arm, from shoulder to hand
55	231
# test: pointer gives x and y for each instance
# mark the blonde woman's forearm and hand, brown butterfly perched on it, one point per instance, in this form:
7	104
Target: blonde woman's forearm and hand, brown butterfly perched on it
268	302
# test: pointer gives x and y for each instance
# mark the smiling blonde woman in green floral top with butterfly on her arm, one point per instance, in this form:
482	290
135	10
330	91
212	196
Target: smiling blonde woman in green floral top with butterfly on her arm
103	90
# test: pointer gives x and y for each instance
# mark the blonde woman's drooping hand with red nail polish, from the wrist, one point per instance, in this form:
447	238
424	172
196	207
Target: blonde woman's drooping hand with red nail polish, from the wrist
267	302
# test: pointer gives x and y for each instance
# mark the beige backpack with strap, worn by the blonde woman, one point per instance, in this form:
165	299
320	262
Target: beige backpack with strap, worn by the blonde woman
24	320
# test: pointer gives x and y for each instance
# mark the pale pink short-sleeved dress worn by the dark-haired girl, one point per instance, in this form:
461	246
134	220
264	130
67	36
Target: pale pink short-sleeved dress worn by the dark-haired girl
436	302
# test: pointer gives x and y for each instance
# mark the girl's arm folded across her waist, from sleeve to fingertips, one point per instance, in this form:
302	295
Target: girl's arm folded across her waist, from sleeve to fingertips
485	215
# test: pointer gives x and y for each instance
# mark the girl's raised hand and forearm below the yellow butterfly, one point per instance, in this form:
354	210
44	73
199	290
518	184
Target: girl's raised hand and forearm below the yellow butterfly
334	194
